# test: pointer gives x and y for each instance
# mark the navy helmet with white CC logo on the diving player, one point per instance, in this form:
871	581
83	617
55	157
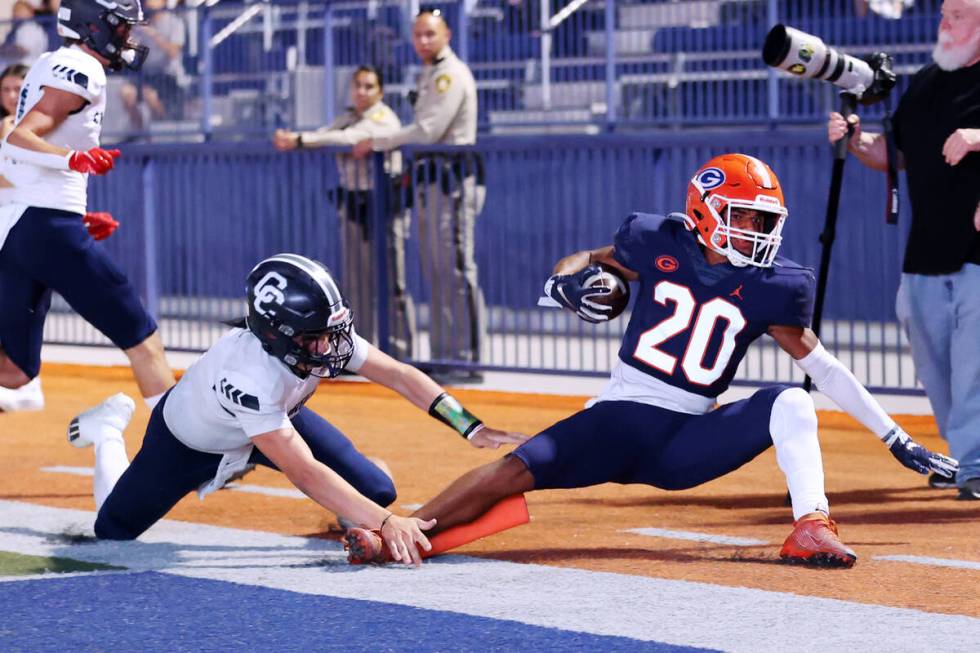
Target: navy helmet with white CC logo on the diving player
293	302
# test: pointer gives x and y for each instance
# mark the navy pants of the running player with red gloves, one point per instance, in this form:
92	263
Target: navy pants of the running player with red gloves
50	250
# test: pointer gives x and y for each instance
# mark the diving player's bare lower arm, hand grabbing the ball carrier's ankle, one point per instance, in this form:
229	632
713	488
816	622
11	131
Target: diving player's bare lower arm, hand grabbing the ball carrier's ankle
292	455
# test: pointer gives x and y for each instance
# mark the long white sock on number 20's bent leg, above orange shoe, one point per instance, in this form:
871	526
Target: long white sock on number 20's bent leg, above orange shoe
793	426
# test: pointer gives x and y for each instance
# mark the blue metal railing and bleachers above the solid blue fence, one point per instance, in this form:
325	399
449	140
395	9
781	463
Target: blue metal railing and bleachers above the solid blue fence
244	69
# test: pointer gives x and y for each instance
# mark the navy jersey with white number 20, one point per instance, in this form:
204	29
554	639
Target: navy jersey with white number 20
691	332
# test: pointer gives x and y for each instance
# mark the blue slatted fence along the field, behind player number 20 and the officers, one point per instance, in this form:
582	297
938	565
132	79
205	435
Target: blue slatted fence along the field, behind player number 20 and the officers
196	218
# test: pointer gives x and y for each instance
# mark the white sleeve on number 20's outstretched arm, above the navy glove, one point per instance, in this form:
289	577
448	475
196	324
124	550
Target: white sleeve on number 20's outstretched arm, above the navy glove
837	382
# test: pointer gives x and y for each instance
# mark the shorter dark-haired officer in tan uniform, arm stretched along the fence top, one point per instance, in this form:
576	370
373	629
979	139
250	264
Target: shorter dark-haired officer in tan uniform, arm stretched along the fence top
368	117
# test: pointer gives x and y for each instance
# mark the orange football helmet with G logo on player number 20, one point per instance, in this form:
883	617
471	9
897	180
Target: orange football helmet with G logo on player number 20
736	181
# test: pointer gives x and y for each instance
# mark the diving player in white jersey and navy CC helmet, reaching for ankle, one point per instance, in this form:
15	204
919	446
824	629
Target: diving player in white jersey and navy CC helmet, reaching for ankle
243	402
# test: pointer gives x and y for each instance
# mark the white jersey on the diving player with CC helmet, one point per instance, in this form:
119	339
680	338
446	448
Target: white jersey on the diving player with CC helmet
237	391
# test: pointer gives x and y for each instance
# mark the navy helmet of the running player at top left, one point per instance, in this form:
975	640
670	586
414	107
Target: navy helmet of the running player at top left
104	26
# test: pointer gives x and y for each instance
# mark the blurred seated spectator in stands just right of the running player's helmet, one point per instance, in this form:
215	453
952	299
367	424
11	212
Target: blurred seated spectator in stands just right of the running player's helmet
162	80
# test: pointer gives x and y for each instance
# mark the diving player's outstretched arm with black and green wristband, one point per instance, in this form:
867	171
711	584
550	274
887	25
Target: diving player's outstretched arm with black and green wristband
432	398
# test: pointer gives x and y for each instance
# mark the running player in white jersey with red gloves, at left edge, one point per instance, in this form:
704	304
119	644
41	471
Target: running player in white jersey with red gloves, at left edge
46	233
